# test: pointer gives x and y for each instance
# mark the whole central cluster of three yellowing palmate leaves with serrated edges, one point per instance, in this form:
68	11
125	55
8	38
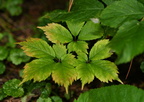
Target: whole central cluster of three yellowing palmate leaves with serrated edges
58	60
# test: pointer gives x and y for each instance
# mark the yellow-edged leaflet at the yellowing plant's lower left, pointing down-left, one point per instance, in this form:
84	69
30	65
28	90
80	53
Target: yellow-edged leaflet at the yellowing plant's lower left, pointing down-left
38	69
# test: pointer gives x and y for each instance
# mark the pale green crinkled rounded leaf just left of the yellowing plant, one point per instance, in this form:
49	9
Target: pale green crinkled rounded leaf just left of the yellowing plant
17	56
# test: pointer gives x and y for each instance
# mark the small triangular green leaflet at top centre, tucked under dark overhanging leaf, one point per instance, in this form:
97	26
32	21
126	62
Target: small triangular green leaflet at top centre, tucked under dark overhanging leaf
75	27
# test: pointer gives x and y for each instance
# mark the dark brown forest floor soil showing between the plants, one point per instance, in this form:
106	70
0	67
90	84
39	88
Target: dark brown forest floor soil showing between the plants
24	26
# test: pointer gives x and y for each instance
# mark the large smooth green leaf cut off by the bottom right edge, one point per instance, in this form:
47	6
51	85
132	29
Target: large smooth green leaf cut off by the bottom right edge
117	93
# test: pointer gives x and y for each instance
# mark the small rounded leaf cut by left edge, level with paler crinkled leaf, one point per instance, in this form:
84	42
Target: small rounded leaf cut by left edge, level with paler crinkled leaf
3	52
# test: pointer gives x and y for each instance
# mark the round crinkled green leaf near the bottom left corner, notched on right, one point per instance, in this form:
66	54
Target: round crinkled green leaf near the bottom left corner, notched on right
12	88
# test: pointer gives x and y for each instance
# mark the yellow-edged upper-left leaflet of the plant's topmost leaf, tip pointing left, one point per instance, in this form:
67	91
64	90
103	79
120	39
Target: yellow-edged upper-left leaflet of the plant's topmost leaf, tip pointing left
57	33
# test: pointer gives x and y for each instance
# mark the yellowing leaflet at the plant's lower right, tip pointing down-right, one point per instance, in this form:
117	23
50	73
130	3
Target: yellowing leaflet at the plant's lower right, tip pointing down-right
105	70
